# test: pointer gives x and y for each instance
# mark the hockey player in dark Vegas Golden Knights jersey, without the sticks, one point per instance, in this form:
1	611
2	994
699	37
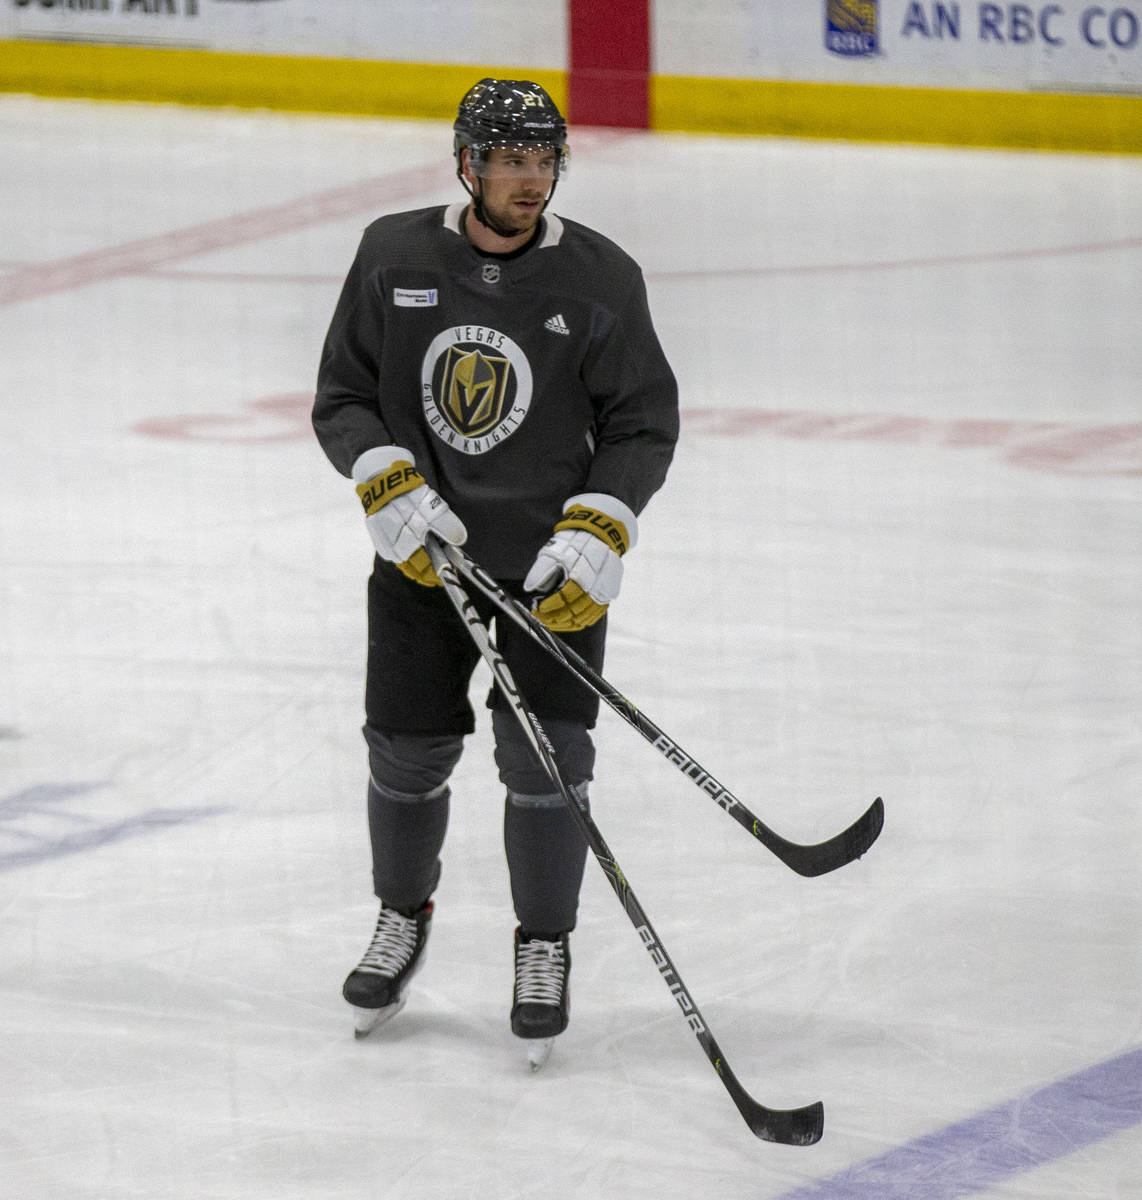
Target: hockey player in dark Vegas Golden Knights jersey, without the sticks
491	376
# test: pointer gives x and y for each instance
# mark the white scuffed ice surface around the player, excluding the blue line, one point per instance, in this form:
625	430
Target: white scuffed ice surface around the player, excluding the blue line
900	554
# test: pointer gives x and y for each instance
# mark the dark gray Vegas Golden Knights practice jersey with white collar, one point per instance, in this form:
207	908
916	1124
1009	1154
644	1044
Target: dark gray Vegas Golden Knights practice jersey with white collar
516	382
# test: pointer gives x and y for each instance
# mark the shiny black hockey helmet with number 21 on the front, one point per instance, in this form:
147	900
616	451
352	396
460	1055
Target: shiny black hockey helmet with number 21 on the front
508	113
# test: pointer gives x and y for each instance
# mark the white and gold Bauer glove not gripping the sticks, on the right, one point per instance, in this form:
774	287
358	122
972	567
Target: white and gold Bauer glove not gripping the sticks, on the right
579	572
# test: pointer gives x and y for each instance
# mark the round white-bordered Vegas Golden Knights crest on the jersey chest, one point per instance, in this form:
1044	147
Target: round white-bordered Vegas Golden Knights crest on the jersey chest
476	388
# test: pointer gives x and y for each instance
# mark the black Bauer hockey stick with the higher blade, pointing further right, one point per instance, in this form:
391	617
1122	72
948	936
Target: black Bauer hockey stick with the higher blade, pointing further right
806	860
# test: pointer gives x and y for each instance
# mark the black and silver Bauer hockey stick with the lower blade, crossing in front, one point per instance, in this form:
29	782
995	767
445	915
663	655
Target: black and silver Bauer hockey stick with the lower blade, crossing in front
792	1127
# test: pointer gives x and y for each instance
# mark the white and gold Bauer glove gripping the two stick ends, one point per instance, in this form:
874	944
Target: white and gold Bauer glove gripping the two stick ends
401	509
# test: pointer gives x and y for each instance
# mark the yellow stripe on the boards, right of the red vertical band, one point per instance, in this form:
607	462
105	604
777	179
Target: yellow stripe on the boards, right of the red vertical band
945	117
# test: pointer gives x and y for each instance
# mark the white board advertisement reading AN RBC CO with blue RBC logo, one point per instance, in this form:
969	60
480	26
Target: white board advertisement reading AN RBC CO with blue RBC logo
1061	46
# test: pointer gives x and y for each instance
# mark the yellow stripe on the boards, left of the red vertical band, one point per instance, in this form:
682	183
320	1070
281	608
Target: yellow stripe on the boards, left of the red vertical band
250	81
